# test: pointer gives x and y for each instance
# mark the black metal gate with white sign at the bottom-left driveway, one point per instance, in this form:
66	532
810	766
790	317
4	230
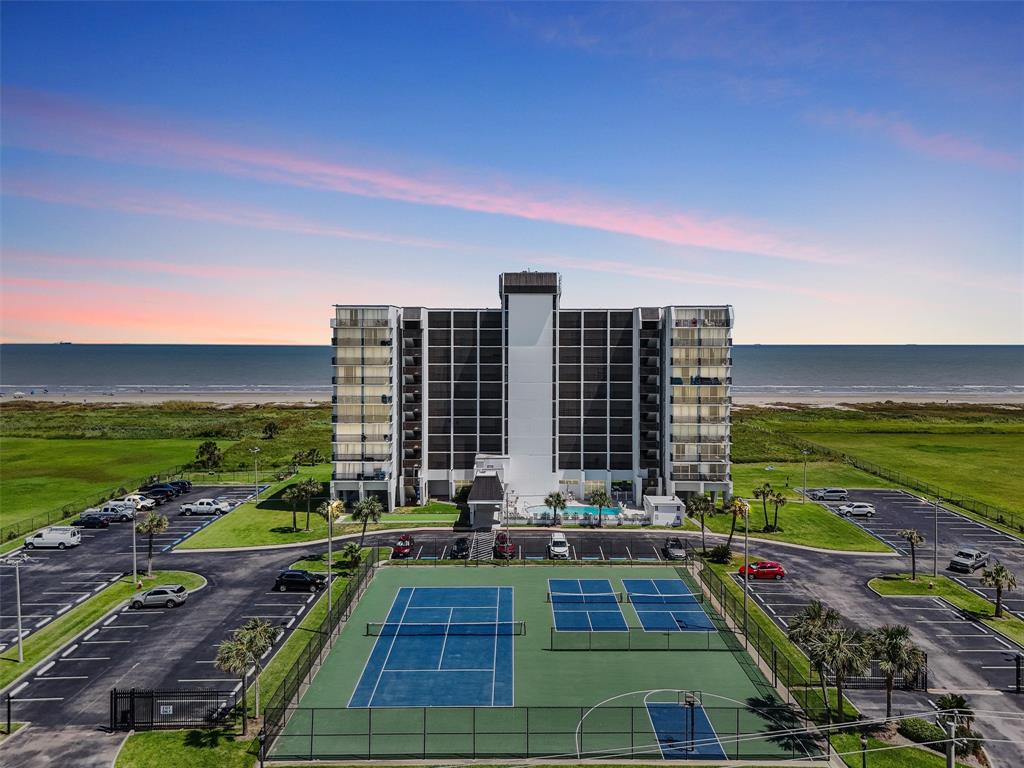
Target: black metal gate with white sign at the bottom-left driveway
146	710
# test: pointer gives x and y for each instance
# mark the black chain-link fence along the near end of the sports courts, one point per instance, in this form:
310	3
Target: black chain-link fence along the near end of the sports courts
753	732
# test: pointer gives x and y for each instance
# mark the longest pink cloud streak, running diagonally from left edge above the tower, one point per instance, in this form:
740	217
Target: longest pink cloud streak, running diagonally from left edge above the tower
60	125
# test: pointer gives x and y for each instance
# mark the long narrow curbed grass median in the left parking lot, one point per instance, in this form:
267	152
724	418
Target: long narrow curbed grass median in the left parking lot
60	631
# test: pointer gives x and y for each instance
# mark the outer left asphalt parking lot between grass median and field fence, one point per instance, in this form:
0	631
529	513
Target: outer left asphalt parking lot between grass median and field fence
55	581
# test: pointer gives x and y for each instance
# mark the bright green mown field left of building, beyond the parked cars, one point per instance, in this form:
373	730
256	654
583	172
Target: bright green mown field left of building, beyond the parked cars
38	476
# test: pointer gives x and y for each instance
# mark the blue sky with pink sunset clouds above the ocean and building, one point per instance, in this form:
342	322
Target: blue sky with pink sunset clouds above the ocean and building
225	174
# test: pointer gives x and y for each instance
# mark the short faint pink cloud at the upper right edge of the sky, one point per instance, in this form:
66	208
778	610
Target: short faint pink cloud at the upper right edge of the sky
943	146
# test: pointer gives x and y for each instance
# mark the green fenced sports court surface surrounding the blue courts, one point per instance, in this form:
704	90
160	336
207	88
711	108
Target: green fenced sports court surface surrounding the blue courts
581	702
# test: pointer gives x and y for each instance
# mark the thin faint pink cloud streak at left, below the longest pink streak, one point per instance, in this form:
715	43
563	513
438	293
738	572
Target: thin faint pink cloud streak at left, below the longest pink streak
157	204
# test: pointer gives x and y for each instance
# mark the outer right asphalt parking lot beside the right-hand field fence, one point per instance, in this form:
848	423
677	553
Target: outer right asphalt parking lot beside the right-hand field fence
898	509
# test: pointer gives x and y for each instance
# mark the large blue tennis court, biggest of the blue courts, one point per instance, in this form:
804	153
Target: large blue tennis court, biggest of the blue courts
442	647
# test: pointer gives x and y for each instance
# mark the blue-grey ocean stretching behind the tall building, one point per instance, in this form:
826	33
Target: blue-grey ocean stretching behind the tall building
763	371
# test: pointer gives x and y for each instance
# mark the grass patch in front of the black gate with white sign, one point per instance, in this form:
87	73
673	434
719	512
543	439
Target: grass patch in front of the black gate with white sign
189	749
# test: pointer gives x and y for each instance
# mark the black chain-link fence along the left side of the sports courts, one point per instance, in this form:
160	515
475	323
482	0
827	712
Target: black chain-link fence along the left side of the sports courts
277	710
